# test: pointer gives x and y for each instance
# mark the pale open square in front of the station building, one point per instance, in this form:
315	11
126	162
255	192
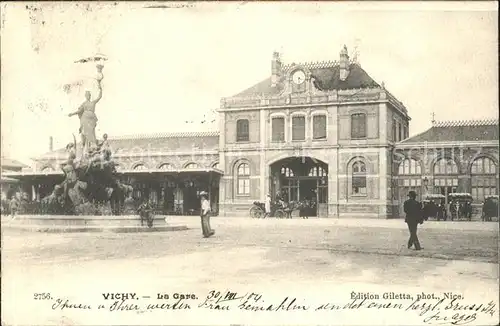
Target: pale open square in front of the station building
311	258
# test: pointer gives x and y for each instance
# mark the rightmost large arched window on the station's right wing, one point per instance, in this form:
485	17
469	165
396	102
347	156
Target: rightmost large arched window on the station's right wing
483	178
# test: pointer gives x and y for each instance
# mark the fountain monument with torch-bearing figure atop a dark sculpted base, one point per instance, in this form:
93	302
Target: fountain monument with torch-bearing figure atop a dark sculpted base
90	183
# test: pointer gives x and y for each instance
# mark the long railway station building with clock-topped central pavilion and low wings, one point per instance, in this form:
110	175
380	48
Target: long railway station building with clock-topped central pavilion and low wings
323	131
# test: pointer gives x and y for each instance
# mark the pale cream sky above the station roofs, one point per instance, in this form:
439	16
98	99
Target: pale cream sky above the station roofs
169	66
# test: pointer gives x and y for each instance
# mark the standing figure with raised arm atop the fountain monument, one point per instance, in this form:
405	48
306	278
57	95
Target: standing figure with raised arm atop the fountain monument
87	116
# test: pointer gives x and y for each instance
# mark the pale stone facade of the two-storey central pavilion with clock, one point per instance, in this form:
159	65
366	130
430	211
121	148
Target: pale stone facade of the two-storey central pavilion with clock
339	149
